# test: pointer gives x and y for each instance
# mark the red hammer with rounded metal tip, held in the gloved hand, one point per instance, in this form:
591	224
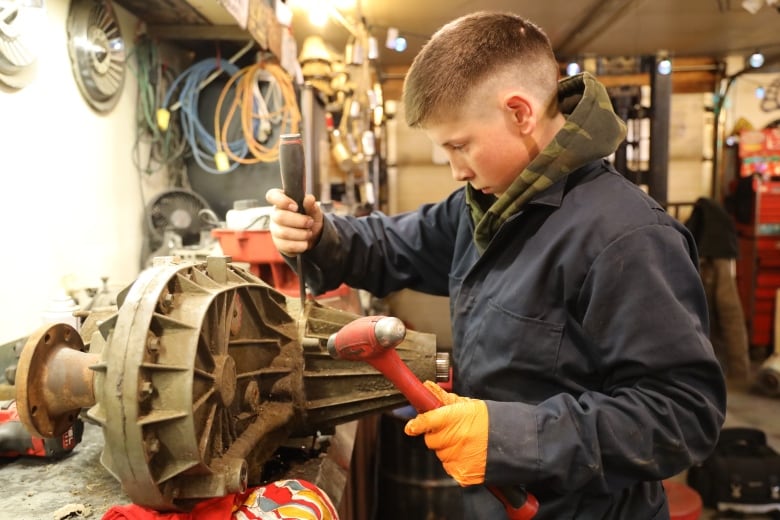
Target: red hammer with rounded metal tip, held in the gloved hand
373	339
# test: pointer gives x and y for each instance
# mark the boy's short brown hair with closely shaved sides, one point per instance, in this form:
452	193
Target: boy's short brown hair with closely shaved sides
471	49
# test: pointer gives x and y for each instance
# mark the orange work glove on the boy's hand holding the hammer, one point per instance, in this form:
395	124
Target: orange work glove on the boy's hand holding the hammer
457	432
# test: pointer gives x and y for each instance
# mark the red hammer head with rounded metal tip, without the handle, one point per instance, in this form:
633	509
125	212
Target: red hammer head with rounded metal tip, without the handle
366	337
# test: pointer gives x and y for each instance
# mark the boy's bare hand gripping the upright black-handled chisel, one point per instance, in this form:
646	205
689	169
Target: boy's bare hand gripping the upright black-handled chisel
292	232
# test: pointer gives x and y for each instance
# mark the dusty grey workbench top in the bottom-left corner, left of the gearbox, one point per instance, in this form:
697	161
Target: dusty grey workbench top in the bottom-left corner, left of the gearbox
77	486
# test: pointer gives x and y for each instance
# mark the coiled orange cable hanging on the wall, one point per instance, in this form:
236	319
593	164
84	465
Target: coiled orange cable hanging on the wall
259	112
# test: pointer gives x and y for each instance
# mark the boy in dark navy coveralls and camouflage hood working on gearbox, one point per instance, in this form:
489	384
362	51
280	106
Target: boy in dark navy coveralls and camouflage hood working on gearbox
582	367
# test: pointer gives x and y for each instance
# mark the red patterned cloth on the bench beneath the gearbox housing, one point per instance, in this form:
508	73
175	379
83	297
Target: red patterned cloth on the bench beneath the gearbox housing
280	500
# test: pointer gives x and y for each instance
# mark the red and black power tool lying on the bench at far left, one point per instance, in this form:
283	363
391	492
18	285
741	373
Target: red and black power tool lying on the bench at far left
16	441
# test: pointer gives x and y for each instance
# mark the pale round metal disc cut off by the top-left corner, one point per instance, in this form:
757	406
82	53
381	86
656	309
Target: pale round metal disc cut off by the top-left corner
17	57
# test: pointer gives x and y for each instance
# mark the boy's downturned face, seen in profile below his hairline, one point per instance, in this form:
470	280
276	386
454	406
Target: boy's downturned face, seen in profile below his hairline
484	145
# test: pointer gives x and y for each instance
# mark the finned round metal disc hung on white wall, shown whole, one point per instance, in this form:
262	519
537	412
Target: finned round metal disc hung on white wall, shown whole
97	52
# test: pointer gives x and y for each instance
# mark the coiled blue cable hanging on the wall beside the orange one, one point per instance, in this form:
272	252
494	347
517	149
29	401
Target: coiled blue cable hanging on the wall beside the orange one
202	144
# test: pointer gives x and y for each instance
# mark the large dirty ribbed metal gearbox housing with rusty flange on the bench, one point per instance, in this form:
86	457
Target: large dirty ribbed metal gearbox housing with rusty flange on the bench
203	374
